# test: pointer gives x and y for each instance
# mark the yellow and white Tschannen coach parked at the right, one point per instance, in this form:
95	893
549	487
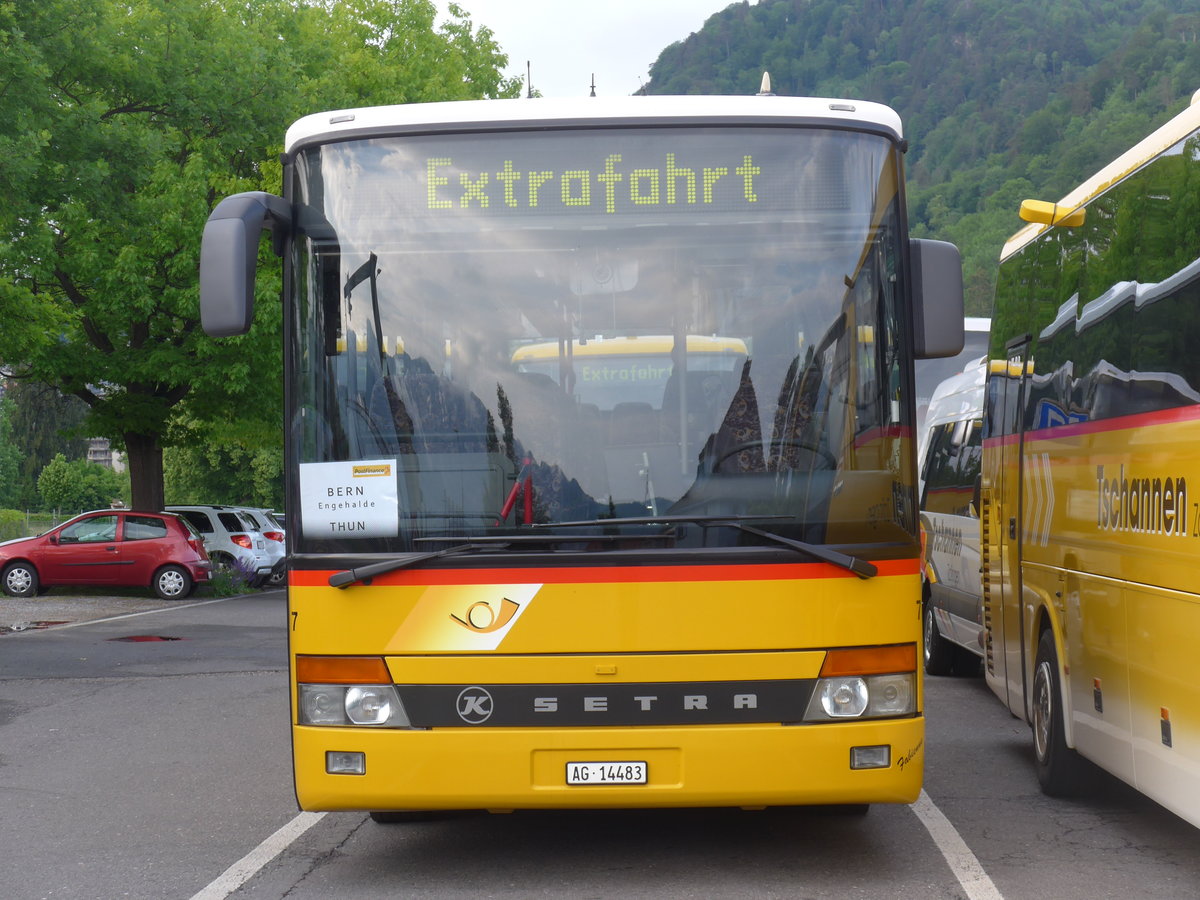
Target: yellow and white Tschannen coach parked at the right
1090	535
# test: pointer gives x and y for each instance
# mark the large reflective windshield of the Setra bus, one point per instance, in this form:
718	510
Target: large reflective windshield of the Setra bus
527	328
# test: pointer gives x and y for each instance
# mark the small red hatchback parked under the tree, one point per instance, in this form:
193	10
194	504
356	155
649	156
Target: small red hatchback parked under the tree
118	548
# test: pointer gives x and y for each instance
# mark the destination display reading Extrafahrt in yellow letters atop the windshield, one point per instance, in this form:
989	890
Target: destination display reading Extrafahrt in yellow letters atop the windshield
453	183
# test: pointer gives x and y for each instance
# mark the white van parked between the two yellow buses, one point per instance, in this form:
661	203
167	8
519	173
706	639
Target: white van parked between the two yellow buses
951	452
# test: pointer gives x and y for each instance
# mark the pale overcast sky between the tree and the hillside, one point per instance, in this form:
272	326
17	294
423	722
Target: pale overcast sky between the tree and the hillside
567	41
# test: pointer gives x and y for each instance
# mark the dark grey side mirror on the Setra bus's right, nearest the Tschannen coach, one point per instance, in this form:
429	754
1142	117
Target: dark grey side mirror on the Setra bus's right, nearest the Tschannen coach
937	299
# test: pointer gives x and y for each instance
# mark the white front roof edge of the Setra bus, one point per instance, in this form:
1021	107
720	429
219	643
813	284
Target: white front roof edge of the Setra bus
475	115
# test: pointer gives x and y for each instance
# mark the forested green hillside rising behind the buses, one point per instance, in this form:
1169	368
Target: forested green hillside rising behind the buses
1001	99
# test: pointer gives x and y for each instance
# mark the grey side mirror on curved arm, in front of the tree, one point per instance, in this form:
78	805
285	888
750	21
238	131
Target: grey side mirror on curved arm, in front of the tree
230	259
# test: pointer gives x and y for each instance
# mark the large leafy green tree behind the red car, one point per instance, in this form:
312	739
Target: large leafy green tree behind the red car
125	123
